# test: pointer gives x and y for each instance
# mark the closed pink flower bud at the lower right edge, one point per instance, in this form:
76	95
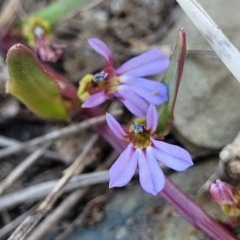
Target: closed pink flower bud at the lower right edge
226	196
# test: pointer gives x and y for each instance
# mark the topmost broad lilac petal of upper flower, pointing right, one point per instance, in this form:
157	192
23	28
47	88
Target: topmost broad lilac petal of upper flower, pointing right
149	63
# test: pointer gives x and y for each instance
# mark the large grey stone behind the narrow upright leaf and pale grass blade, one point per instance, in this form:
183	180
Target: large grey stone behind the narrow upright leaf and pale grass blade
207	112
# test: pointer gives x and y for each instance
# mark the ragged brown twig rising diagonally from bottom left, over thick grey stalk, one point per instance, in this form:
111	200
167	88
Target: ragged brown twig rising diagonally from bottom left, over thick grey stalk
30	222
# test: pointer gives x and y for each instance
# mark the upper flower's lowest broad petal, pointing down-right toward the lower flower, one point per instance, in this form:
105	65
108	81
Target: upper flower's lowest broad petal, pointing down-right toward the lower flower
133	102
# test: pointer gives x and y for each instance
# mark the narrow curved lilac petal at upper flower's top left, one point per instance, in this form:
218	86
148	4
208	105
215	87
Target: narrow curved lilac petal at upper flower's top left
102	49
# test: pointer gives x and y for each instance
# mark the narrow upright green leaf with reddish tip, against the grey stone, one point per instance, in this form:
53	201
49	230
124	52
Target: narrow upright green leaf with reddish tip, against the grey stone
172	79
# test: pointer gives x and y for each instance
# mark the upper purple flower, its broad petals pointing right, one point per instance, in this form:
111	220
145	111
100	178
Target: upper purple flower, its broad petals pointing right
127	82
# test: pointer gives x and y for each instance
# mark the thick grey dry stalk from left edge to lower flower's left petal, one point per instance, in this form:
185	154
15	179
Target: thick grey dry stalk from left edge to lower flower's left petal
41	190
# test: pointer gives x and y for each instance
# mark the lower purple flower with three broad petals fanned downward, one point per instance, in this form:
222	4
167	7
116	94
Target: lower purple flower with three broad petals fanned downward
144	152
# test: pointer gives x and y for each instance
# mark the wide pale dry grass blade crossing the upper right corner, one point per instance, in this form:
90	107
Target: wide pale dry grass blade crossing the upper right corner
226	51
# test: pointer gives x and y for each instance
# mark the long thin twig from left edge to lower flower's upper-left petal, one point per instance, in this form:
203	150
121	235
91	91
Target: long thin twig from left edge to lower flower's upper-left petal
56	134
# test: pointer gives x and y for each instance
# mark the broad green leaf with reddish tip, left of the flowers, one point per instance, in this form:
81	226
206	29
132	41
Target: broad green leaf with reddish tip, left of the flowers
32	85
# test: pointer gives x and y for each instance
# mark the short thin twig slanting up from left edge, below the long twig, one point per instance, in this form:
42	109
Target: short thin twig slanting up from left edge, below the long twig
21	168
